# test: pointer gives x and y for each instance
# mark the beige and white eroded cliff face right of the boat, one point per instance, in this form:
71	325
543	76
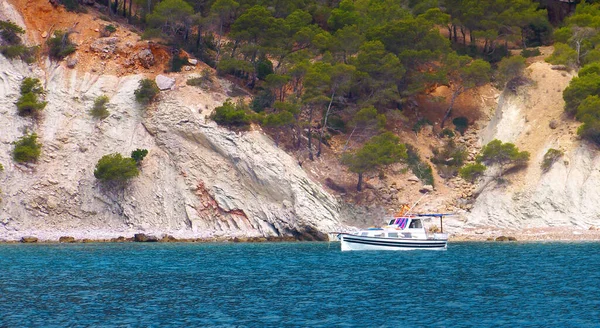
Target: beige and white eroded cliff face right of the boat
567	195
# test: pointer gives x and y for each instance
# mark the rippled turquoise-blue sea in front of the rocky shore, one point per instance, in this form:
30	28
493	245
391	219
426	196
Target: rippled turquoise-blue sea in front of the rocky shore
299	285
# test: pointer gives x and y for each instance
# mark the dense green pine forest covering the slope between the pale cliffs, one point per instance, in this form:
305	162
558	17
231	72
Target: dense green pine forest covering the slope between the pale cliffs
352	67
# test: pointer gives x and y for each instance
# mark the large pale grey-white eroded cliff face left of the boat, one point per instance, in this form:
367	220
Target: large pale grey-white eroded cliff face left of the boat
199	180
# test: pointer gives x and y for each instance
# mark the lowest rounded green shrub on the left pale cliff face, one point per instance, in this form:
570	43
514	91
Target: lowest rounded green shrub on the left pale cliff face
115	168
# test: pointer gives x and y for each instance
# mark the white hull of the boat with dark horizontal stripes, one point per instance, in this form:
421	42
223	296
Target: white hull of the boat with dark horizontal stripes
361	243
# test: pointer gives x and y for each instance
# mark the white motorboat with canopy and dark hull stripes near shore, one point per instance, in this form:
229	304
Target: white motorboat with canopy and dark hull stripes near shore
400	233
